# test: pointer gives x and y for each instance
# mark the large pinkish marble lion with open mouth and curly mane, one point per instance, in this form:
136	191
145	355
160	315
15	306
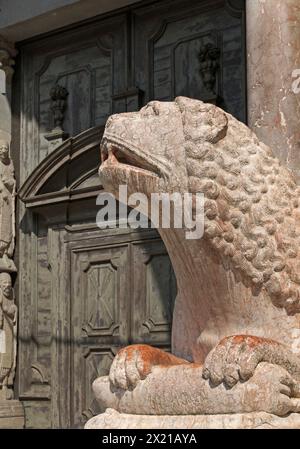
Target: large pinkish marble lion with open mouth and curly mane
236	333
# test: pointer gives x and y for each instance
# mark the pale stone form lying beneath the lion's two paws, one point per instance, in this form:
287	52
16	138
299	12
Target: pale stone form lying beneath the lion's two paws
181	390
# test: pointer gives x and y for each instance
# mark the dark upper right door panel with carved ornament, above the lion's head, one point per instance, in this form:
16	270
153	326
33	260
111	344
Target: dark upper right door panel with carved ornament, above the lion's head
192	48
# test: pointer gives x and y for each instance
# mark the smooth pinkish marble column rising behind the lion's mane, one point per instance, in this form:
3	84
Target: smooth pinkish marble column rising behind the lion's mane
273	60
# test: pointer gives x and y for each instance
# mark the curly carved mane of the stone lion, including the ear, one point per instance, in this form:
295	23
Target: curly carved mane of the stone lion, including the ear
252	215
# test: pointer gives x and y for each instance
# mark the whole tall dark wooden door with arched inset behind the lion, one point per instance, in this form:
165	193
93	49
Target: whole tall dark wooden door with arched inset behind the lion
83	293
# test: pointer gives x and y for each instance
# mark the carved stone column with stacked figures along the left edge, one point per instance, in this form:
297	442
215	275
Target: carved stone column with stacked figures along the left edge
11	410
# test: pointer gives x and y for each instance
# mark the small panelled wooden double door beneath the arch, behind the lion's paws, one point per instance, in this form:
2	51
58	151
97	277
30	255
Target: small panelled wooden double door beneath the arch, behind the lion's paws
122	292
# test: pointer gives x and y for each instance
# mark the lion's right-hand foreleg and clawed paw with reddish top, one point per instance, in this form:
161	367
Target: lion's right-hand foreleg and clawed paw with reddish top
235	359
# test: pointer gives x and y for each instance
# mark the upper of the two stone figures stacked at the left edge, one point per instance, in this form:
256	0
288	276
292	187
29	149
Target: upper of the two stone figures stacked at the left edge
7	203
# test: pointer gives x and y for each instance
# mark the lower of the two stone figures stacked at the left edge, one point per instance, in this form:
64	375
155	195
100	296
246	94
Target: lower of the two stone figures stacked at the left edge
8	323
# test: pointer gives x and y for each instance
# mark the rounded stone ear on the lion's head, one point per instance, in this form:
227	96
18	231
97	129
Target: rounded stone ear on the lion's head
202	121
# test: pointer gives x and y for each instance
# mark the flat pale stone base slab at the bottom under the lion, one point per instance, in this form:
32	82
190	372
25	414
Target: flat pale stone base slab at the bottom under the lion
112	419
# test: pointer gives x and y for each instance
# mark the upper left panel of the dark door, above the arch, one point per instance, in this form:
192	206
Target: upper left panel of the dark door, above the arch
90	63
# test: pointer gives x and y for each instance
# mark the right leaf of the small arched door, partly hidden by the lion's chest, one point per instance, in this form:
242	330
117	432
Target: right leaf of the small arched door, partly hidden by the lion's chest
154	292
